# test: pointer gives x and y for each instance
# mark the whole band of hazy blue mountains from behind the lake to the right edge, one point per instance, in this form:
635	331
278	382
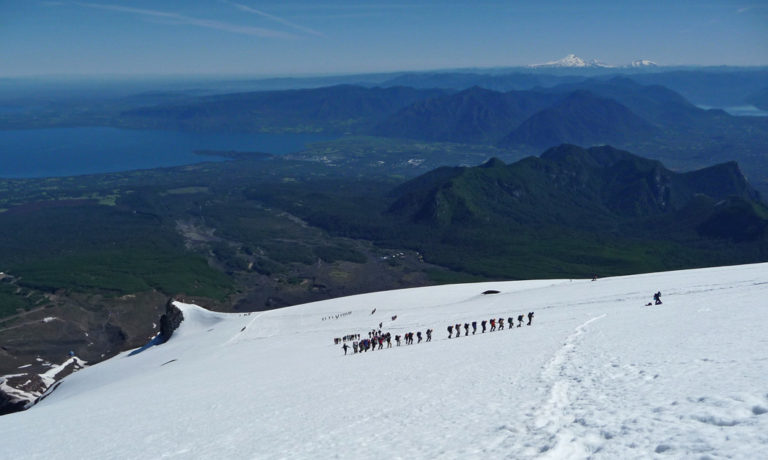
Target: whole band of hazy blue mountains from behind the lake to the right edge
647	119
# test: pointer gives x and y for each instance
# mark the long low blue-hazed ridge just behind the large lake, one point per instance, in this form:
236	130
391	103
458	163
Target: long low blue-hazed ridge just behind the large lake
334	109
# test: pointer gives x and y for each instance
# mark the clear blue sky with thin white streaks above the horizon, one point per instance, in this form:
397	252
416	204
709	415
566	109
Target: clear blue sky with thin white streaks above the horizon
317	37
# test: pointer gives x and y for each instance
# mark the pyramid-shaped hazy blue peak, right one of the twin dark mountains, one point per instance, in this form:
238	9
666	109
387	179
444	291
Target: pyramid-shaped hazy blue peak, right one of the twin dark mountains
581	118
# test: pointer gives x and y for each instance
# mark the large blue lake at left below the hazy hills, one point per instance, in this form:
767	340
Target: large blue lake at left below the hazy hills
90	150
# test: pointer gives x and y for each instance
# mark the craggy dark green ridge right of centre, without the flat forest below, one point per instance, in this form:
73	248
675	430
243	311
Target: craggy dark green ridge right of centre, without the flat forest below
577	188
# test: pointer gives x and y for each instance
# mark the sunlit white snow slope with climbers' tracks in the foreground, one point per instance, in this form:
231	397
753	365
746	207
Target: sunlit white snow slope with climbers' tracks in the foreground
598	374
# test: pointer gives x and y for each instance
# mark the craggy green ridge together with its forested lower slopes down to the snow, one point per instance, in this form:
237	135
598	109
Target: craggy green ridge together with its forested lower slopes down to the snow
571	212
